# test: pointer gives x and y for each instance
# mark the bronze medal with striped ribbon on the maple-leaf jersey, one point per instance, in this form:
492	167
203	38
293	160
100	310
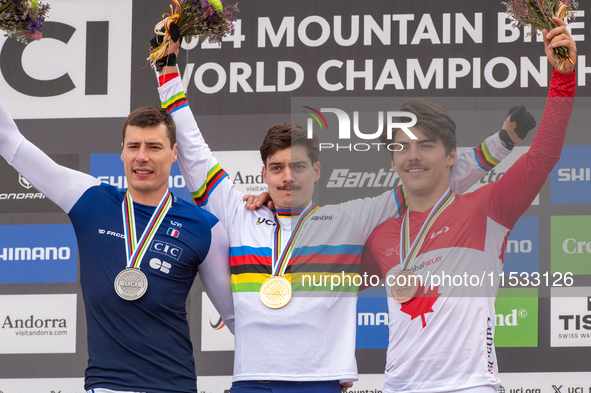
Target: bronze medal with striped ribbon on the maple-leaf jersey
406	283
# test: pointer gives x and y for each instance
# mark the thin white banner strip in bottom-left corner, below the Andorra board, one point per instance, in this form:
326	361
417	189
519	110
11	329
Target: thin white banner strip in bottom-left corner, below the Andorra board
42	385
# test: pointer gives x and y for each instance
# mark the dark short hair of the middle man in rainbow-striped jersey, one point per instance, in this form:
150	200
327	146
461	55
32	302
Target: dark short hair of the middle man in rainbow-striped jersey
284	135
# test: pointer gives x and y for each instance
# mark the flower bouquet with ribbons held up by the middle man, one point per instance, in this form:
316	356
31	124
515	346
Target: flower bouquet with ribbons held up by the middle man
207	19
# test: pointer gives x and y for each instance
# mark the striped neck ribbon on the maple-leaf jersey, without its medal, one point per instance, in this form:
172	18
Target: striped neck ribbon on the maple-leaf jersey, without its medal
408	252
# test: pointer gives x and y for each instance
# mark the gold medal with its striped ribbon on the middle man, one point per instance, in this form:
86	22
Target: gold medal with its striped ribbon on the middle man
276	290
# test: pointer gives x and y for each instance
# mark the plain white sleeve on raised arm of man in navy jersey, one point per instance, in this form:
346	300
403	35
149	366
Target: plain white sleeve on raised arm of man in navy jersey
63	186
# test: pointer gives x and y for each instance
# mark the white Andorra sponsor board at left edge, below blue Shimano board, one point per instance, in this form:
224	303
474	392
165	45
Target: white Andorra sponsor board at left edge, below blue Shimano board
38	324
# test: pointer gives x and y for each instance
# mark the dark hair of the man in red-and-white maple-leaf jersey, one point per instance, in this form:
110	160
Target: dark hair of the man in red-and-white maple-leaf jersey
432	120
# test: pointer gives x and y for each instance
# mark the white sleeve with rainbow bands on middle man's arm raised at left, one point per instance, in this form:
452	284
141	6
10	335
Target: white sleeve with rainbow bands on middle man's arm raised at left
205	178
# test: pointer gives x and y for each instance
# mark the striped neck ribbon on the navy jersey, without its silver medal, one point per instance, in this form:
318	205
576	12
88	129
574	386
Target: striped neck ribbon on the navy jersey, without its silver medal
136	249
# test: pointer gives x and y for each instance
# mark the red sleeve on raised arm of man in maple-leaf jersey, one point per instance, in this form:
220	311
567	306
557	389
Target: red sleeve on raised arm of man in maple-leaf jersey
507	199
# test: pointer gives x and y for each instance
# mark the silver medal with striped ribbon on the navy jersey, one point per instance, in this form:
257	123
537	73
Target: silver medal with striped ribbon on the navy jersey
131	284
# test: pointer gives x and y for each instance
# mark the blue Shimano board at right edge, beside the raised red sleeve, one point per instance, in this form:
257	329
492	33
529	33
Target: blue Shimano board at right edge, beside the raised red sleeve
571	177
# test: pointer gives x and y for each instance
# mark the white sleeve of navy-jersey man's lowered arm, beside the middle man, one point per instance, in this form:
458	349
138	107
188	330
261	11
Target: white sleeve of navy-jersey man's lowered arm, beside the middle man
214	272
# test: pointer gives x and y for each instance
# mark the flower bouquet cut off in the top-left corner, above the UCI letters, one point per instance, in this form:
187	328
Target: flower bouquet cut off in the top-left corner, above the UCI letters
22	19
